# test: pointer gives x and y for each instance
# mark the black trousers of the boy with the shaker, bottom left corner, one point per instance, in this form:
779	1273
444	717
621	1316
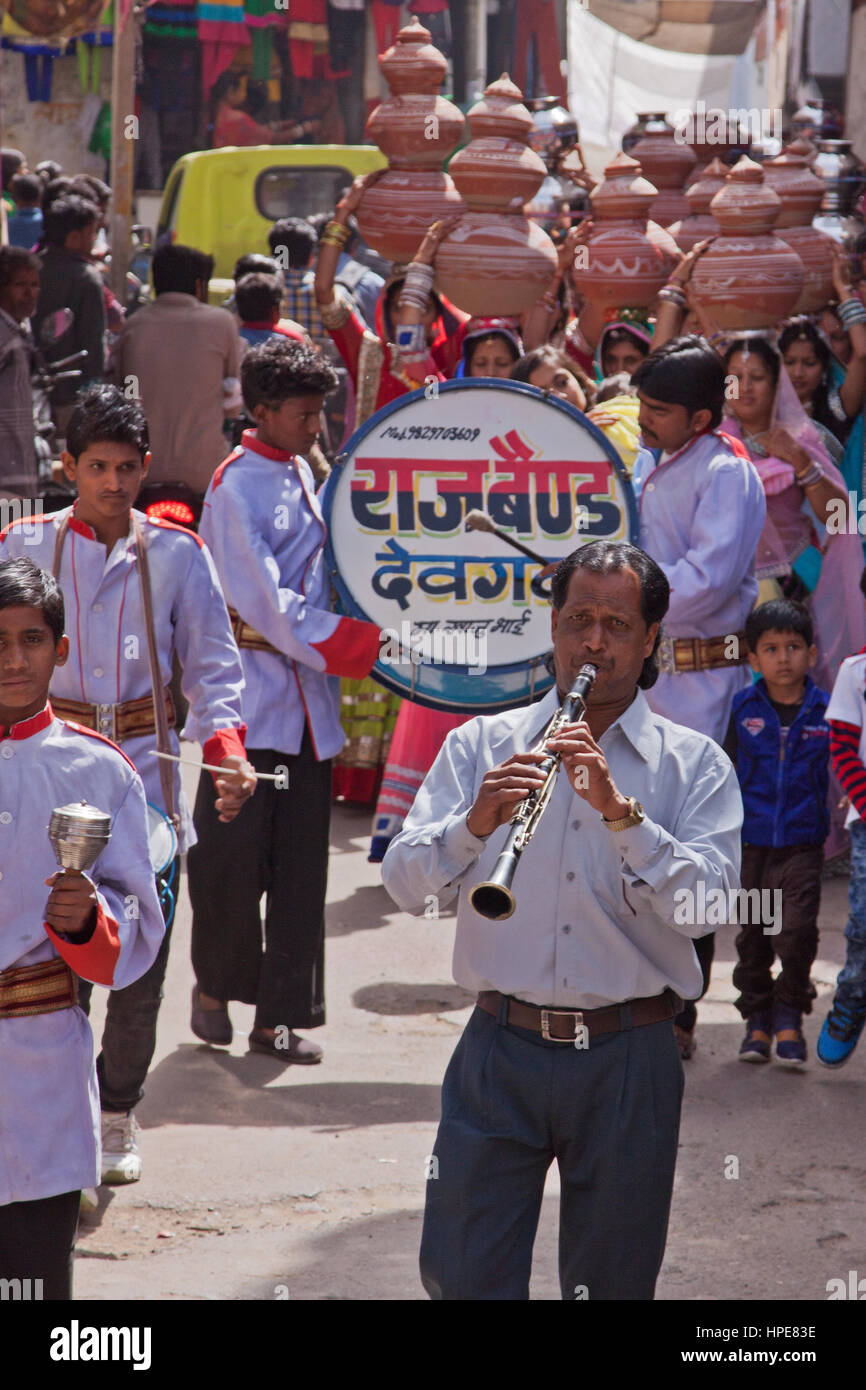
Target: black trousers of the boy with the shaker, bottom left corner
37	1245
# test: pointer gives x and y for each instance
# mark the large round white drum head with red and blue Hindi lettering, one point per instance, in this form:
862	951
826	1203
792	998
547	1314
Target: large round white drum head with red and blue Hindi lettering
464	629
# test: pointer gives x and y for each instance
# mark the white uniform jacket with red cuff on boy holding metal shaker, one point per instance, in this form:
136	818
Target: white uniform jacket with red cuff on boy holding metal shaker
49	1100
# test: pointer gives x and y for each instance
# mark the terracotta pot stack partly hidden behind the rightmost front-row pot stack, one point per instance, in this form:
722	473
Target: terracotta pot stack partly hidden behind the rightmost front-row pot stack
801	194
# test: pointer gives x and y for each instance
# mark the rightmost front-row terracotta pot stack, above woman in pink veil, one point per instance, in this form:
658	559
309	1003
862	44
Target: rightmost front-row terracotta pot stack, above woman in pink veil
749	277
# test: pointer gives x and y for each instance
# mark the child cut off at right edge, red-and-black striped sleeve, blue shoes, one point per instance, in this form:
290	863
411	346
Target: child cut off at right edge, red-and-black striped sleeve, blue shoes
844	1024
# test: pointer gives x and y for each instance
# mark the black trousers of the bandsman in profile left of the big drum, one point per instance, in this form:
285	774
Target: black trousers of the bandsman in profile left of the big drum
277	846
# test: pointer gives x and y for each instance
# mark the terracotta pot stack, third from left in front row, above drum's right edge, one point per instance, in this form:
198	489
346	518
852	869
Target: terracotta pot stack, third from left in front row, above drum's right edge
628	259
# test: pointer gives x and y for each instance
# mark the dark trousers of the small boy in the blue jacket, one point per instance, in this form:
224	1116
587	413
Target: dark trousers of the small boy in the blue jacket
796	872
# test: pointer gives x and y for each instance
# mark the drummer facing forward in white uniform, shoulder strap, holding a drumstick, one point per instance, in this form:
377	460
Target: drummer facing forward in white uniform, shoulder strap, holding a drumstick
108	685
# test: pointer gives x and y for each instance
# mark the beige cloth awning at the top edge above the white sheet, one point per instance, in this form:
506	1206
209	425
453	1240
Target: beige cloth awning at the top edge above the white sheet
708	27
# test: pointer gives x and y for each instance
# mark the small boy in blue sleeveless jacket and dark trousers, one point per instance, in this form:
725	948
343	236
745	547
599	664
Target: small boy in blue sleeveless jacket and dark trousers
779	742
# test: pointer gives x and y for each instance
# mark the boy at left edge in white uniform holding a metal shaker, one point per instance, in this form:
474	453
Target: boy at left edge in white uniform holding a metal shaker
55	926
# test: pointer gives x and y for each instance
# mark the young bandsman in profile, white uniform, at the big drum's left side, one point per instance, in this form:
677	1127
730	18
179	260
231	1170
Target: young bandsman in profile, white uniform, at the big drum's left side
265	526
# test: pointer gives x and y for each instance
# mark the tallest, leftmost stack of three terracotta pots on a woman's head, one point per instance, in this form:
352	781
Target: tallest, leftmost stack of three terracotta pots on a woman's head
416	130
